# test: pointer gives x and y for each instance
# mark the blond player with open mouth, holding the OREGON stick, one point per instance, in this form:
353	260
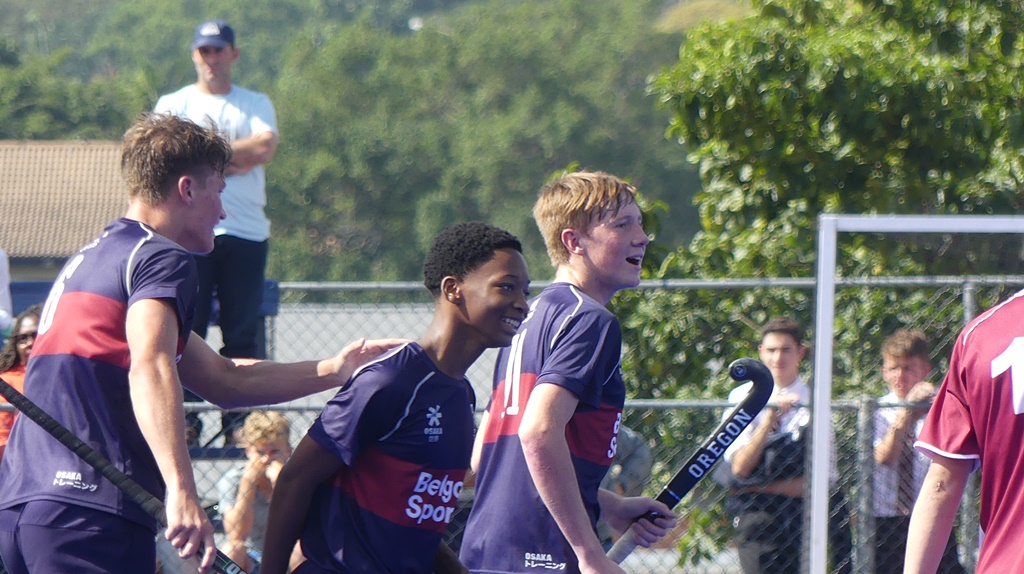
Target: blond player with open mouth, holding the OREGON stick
549	435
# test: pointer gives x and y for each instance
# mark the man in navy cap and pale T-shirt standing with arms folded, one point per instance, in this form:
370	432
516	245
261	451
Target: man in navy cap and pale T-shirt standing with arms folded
235	270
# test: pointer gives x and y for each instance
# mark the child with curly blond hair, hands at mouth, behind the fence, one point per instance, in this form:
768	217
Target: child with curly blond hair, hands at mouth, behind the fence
246	491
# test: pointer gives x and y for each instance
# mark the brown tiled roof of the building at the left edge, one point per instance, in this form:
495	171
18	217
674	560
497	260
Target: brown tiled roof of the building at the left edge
57	196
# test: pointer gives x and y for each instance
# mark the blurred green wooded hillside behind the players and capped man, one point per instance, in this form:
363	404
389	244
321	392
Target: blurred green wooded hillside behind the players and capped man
389	134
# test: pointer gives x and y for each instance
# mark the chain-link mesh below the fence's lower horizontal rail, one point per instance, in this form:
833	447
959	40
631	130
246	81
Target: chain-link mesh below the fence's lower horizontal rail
703	543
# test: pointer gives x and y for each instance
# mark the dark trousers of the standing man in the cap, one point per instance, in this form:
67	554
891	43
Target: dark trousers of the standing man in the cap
235	272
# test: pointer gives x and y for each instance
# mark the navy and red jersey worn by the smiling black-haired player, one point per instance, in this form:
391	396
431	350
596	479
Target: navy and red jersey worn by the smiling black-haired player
405	433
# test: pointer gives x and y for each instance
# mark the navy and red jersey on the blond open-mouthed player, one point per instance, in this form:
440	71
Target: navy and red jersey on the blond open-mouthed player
572	341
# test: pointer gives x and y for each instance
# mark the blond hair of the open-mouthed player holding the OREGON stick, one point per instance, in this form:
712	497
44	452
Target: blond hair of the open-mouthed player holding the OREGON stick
574	202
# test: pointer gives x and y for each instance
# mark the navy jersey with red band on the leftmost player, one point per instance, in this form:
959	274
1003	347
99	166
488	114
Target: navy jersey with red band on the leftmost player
79	372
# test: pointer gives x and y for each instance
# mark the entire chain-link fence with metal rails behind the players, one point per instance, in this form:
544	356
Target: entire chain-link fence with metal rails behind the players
317	320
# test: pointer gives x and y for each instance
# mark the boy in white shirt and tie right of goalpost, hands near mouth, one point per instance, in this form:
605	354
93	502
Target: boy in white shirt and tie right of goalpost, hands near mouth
900	469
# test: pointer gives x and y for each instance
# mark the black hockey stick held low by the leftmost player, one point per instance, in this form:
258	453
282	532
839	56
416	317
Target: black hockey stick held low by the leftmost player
142	497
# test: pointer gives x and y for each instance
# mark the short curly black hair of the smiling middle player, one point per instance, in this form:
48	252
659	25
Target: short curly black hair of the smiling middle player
461	249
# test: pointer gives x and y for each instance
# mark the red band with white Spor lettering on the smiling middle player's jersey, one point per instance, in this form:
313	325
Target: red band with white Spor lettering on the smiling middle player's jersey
403	493
